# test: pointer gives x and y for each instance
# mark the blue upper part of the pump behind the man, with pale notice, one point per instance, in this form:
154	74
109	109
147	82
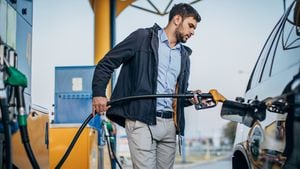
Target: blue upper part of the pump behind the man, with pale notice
73	93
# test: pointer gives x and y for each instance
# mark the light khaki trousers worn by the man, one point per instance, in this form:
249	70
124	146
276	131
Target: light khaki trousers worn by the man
152	147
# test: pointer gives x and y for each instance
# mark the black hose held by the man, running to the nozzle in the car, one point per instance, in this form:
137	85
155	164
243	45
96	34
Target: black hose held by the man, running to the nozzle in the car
79	131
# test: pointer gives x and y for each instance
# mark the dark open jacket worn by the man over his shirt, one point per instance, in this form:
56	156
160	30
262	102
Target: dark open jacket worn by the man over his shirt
138	76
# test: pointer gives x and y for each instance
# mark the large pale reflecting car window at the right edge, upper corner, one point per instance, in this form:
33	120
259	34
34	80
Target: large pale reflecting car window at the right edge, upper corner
288	51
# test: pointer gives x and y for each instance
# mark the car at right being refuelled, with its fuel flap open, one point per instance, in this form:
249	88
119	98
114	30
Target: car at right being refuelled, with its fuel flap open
268	116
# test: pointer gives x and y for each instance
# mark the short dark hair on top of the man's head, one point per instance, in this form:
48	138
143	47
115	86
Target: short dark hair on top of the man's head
184	10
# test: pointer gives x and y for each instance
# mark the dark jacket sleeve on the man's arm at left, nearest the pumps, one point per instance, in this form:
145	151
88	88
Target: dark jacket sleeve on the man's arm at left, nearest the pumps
112	60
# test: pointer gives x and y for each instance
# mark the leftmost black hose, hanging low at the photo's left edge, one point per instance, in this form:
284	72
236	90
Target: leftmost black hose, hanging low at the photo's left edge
7	133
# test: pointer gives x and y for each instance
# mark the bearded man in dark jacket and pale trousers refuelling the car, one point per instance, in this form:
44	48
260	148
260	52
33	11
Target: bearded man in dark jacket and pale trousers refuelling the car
154	61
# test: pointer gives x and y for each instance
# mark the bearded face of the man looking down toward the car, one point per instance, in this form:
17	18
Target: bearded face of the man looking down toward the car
185	29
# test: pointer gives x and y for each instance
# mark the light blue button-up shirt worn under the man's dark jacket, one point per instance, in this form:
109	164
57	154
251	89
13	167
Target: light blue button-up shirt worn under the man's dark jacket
169	61
